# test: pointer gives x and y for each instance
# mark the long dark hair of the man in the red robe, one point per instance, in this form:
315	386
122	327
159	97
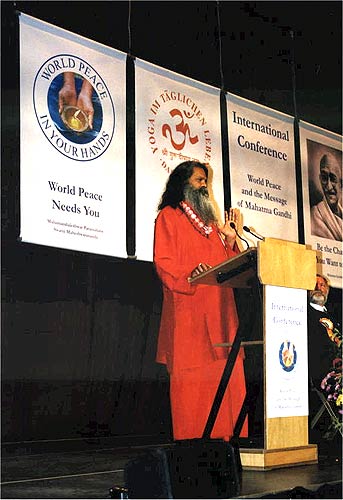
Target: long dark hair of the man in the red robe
174	191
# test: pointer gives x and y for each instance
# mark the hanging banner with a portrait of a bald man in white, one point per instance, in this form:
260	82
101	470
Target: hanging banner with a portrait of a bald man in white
321	166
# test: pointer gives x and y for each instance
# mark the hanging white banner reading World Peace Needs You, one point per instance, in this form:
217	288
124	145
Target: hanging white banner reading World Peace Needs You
73	159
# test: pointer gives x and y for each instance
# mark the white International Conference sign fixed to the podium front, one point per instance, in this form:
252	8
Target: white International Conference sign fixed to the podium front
286	352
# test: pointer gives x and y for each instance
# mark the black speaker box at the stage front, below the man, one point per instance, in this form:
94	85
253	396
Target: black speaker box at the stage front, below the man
190	469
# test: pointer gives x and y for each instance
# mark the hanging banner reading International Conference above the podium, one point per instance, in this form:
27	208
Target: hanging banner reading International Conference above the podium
262	169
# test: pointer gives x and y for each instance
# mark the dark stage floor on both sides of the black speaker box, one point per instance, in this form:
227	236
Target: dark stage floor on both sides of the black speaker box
90	472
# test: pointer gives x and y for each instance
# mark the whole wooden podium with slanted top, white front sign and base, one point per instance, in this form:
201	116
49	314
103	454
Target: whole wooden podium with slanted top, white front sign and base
278	268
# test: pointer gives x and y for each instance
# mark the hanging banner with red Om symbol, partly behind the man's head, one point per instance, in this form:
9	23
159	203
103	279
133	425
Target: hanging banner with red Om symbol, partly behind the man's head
177	119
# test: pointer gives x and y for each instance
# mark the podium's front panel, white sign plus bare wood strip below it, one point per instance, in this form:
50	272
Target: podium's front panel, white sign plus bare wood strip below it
286	366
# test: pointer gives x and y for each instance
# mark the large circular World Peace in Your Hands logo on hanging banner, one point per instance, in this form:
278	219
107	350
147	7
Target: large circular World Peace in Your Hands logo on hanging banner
73	107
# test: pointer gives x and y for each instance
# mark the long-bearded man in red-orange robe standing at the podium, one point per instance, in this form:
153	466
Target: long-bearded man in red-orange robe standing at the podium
188	241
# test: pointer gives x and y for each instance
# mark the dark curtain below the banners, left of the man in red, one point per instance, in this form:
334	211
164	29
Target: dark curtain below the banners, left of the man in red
78	347
